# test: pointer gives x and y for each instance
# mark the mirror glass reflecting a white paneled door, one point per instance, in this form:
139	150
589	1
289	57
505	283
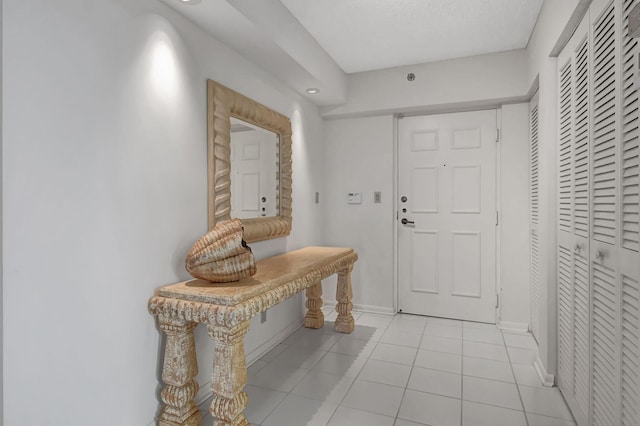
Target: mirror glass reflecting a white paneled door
254	171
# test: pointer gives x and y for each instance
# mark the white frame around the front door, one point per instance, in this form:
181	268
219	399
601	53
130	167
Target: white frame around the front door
396	204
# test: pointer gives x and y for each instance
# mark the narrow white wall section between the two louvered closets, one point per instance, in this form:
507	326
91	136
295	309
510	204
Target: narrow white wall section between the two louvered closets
554	17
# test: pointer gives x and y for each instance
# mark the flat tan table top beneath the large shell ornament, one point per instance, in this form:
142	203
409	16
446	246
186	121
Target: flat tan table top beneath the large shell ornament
271	273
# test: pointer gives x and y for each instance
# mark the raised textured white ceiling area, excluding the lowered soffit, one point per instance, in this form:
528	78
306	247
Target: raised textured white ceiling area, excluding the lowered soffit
363	35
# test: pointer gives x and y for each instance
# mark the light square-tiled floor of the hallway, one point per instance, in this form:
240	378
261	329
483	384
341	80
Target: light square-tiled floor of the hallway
403	370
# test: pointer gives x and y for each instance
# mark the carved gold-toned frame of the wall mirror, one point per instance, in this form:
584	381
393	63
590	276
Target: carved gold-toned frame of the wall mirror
222	104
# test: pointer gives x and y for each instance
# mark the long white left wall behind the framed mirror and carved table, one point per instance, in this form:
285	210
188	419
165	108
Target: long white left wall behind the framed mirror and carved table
104	193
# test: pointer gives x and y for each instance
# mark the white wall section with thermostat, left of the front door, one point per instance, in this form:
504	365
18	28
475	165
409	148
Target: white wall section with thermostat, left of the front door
359	158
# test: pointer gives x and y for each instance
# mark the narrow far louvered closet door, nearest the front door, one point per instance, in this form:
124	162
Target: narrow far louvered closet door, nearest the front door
534	216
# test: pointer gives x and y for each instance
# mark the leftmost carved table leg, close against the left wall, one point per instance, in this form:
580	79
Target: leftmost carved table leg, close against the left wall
178	373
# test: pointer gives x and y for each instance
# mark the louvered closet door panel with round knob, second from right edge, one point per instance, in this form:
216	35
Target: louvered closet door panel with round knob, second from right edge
605	68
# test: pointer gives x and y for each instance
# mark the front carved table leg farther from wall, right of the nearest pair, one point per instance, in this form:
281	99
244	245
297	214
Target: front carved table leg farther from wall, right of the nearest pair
229	375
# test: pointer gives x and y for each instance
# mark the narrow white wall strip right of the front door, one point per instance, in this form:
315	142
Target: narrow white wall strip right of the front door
513	189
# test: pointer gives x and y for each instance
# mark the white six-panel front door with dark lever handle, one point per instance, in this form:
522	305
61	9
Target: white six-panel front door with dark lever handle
447	215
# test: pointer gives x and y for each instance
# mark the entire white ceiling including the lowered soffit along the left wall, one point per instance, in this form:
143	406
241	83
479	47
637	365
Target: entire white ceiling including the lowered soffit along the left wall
316	43
